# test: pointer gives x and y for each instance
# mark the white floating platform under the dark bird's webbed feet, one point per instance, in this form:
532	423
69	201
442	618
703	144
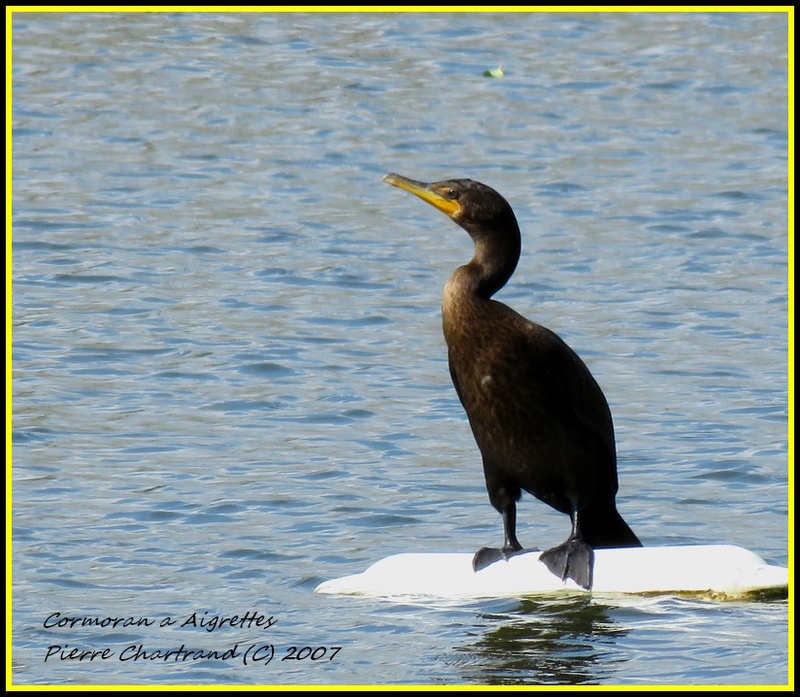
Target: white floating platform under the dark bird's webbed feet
724	570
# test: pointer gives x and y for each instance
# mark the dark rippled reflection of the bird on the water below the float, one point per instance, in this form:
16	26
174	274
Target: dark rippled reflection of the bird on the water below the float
551	642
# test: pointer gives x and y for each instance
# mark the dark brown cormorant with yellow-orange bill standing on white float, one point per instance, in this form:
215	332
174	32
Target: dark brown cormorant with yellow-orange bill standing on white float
539	418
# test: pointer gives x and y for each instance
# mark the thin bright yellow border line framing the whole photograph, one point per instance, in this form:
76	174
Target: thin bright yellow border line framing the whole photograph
10	11
